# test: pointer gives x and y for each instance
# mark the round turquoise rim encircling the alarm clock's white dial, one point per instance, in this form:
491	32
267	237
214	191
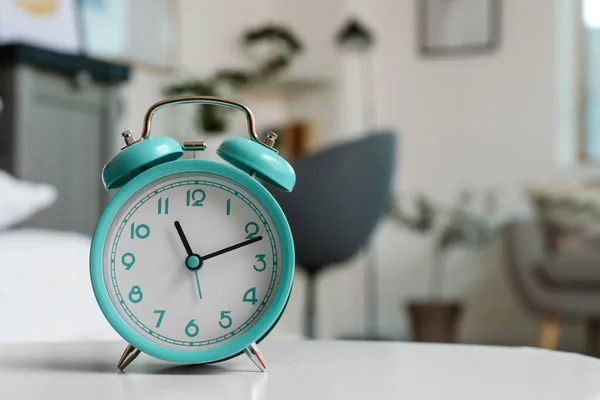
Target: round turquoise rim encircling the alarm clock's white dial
201	356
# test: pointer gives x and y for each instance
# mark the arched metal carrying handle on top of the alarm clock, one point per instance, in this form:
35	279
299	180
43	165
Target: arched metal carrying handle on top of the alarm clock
215	101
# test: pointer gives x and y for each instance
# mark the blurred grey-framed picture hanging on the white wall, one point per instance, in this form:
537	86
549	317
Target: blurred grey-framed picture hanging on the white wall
458	27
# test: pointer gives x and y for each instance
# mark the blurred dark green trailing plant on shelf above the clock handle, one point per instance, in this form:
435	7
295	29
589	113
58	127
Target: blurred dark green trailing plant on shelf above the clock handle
211	119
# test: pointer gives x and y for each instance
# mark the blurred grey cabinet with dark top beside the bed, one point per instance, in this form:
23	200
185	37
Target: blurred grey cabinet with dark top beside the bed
58	112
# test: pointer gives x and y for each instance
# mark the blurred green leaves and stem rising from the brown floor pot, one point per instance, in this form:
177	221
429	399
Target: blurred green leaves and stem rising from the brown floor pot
455	226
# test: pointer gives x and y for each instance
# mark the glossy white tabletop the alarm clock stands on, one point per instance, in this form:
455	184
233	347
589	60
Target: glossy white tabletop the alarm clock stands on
303	370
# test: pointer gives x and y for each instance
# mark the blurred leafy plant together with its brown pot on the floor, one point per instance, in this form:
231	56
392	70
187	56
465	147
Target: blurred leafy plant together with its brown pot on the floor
464	224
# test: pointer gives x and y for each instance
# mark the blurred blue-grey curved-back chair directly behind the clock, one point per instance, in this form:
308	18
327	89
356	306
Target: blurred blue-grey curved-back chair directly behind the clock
340	195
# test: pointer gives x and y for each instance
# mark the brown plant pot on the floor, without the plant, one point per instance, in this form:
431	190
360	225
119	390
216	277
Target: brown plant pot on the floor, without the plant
435	321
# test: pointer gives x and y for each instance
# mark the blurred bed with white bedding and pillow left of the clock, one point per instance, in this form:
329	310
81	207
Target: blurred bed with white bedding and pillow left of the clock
45	290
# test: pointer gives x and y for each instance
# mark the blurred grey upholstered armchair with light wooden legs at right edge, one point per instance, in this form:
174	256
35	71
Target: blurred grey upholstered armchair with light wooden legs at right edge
556	286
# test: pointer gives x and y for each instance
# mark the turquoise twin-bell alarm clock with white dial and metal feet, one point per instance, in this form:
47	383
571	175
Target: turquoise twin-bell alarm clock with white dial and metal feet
193	260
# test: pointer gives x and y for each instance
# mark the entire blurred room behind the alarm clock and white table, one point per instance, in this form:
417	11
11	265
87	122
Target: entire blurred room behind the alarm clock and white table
466	133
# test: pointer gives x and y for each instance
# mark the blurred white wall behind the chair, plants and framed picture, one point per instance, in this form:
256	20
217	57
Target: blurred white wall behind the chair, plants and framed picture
473	121
